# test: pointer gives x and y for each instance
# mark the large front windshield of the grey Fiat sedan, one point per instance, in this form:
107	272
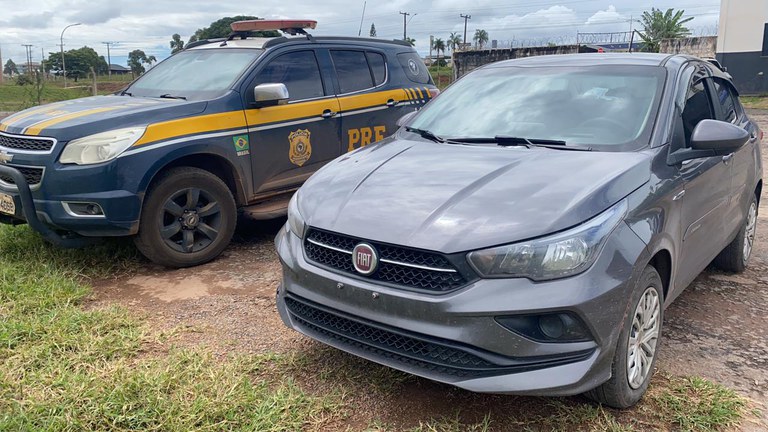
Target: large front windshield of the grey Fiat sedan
609	107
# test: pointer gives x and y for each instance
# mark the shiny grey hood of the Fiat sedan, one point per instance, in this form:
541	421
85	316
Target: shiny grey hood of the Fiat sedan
454	198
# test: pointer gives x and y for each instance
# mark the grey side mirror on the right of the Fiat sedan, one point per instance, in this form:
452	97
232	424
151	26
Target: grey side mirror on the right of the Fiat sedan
711	138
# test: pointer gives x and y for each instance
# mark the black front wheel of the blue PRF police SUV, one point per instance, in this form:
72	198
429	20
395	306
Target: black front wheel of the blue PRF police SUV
189	217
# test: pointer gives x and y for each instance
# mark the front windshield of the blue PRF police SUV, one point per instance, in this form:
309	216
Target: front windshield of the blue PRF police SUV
197	74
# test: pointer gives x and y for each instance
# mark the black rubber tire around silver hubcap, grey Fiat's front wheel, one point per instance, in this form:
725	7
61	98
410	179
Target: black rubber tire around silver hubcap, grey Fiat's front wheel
617	391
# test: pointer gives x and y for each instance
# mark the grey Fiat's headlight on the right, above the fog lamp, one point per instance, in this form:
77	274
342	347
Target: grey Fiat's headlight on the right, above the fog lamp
560	255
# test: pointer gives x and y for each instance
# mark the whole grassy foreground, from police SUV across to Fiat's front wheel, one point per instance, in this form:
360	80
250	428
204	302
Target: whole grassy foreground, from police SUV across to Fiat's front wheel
67	366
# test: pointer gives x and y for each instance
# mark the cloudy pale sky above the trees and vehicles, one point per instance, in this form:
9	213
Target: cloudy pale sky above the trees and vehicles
148	25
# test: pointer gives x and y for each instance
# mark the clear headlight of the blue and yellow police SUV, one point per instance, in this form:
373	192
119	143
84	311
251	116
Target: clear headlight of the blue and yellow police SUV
101	147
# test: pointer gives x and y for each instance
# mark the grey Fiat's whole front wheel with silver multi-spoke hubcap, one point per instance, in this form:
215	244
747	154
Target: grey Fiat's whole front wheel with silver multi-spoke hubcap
630	375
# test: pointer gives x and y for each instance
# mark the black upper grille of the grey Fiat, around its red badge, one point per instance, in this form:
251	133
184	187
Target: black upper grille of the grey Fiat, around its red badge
397	265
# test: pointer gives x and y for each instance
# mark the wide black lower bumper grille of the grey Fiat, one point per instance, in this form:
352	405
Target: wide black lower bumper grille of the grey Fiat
430	355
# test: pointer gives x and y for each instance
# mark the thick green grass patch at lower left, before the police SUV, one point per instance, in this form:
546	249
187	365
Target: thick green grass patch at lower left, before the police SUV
66	368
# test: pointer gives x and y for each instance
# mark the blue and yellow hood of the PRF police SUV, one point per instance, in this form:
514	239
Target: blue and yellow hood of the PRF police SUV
80	117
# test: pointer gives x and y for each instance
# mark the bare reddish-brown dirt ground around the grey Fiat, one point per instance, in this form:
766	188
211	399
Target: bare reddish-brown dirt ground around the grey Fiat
716	329
